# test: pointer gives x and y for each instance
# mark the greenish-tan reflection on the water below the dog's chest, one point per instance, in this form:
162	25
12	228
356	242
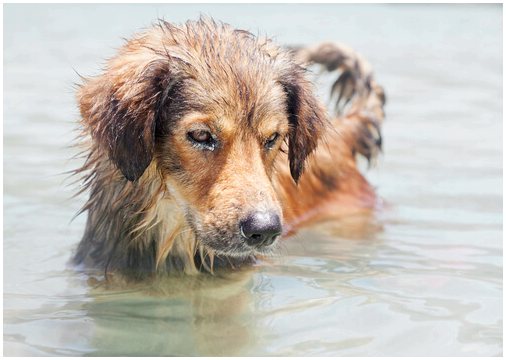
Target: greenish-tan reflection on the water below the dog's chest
173	316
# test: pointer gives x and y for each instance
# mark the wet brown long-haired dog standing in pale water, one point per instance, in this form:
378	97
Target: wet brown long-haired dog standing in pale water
206	144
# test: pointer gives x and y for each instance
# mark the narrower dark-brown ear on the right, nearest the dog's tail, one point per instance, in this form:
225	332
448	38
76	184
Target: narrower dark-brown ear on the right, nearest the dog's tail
306	118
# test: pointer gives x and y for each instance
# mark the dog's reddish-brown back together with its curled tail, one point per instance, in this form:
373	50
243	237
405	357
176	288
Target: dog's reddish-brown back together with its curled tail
332	186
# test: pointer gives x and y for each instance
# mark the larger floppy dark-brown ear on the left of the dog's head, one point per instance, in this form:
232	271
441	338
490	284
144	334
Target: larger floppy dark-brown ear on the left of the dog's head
119	108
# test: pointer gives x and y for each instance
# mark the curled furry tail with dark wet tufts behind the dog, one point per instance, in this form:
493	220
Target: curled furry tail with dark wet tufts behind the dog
359	99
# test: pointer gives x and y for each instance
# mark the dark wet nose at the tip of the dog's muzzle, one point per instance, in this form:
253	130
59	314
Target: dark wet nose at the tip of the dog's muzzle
261	228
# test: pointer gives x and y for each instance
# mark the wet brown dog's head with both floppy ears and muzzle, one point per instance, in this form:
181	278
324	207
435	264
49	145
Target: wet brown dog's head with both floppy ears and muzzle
213	108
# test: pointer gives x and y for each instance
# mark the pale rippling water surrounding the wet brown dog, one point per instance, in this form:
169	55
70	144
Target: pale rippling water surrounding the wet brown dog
424	278
